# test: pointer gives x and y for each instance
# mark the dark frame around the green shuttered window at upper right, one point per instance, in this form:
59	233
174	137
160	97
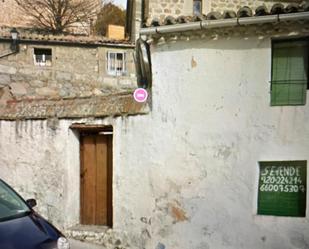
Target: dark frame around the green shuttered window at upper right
283	40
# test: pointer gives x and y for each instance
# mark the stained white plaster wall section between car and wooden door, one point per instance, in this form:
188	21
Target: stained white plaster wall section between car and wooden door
41	159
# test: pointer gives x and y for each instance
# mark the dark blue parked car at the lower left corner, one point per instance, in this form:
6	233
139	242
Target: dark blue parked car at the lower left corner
23	228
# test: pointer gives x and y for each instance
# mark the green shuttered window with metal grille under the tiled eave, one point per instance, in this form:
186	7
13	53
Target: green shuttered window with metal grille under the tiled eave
289	80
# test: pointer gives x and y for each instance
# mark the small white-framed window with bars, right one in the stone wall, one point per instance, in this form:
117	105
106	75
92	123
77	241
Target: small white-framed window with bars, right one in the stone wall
116	63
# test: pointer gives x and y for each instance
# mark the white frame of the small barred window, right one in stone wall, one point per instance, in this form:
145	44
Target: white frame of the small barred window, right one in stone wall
113	71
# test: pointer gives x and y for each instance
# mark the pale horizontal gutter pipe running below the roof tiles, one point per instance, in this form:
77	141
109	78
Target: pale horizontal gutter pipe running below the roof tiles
208	24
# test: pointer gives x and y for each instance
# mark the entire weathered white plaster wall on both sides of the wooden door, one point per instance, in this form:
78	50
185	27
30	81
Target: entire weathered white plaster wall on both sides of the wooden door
185	176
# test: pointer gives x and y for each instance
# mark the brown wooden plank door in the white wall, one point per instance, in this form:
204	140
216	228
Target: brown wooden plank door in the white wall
96	179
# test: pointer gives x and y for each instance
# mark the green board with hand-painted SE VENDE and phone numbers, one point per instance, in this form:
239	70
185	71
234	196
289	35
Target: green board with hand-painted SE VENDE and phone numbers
282	188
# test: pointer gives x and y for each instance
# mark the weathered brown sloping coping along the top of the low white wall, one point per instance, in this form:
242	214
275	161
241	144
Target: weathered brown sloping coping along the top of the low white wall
111	105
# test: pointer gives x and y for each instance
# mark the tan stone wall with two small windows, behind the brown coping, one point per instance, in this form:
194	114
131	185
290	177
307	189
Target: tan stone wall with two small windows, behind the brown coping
75	72
